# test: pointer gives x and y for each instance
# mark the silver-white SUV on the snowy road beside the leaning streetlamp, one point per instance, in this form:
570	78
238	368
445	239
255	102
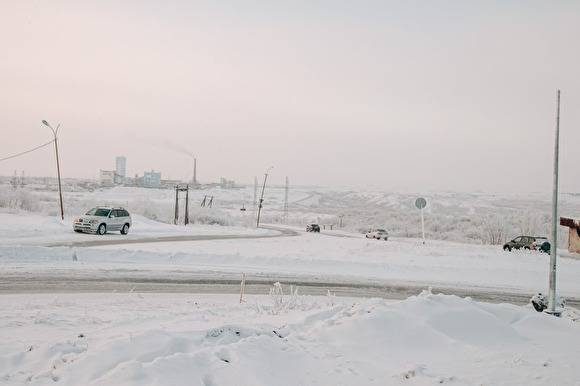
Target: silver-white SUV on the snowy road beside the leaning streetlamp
101	220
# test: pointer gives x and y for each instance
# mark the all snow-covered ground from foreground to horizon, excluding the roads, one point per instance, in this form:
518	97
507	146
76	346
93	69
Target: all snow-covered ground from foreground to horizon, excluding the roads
154	339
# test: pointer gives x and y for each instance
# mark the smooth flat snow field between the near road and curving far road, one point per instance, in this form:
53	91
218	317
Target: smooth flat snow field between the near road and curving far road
322	256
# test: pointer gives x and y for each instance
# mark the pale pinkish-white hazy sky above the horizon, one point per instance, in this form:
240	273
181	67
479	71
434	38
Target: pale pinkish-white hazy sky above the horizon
405	95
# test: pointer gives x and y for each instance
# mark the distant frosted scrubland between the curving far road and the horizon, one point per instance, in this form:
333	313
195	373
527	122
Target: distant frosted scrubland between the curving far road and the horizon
477	218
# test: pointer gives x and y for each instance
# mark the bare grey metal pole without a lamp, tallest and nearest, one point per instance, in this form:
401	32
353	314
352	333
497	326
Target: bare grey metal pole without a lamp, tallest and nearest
554	246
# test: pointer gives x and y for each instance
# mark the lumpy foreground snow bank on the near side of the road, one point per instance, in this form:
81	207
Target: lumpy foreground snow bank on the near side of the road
137	339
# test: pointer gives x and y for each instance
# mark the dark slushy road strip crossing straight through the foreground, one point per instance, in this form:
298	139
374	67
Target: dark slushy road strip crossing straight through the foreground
224	283
